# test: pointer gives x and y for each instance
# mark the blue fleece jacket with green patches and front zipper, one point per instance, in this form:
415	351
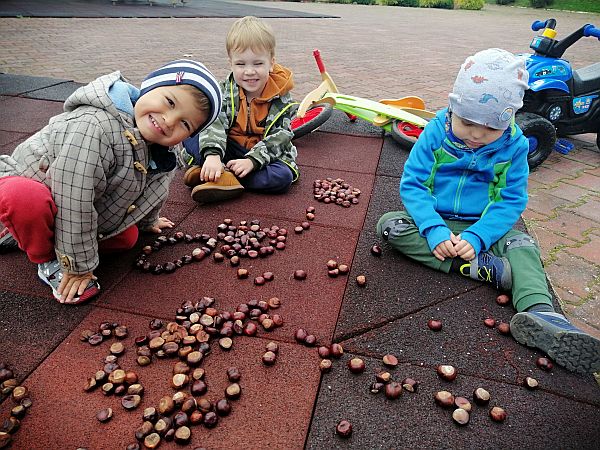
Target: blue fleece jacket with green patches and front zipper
444	179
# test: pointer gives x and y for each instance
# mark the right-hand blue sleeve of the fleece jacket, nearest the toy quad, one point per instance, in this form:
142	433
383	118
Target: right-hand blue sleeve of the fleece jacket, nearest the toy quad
509	202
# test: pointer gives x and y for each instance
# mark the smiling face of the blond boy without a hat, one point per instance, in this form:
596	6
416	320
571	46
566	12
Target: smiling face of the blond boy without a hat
251	70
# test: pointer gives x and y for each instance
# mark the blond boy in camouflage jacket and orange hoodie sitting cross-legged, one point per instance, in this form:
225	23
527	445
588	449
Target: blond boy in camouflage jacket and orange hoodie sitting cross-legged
252	135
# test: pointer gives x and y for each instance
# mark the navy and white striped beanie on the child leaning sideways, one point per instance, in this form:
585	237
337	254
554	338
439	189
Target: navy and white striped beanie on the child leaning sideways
187	71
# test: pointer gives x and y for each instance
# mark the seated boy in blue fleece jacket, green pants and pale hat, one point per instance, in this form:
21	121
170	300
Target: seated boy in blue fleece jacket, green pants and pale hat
465	185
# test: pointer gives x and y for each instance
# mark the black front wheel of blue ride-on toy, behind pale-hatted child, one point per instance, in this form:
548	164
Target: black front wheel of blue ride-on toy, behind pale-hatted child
541	135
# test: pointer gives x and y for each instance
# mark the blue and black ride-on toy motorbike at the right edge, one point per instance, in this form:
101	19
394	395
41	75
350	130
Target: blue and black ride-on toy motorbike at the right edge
560	101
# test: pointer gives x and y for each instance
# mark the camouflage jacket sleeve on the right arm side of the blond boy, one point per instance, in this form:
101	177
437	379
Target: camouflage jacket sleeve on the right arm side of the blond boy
278	142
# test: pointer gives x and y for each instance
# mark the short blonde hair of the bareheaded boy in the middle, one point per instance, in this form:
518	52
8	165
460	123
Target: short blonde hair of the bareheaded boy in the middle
250	33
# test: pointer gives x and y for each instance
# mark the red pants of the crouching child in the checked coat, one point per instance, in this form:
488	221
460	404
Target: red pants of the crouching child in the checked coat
27	210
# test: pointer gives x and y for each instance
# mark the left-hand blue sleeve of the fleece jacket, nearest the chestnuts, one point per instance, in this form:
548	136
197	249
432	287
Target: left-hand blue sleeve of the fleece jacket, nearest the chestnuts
414	191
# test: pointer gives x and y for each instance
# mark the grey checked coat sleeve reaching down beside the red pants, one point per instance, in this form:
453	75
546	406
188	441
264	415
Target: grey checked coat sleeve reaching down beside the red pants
77	177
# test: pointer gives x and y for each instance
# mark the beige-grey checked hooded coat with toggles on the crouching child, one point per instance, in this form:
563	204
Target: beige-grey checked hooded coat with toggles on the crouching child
95	163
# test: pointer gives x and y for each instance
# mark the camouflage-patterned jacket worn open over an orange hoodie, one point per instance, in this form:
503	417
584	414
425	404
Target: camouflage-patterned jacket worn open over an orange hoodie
275	145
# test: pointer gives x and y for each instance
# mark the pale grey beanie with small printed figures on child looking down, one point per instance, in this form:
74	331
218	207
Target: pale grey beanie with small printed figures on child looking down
489	88
